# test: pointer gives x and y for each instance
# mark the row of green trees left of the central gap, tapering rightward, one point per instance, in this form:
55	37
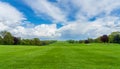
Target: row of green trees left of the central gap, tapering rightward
6	38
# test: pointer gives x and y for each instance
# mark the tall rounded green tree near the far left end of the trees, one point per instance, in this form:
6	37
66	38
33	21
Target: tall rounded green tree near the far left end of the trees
8	39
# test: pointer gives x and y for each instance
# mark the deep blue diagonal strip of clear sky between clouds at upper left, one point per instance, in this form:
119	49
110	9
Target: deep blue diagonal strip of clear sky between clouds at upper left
27	11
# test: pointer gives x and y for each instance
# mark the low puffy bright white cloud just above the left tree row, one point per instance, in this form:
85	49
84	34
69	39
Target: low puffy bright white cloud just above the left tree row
40	31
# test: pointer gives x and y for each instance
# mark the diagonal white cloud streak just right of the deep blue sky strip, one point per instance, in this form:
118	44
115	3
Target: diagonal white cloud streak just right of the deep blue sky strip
45	7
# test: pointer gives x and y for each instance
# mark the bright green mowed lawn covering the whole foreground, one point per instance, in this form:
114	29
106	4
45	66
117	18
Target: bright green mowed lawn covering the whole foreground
61	55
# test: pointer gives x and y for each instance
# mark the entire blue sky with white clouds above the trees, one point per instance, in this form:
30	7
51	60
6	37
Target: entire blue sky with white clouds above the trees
60	19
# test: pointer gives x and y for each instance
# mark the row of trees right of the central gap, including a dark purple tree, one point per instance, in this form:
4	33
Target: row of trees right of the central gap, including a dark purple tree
114	37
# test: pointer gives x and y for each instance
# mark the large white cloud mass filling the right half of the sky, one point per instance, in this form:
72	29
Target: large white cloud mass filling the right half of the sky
105	23
